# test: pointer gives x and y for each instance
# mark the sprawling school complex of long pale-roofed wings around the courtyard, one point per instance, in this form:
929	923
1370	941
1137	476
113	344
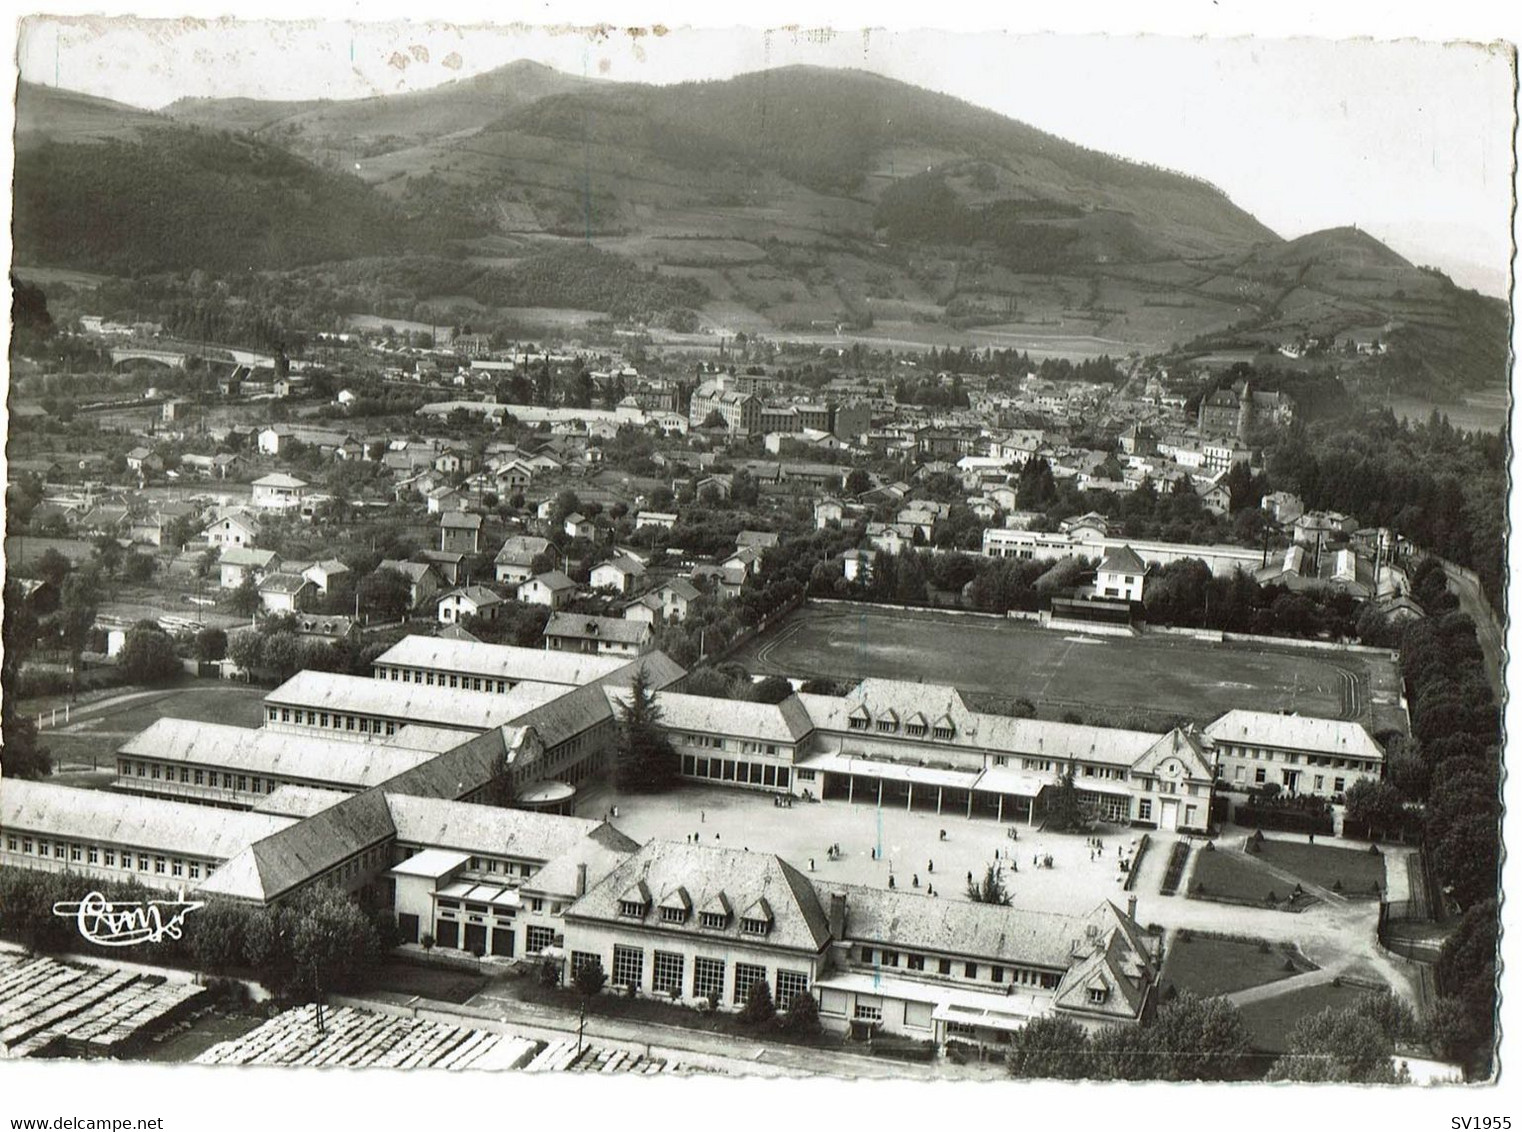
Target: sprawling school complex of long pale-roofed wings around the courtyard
444	787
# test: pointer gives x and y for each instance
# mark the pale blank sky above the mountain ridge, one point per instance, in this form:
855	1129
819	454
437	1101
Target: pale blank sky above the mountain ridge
1410	141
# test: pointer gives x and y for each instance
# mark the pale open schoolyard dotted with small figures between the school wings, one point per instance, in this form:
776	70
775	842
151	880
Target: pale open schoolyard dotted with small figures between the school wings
908	844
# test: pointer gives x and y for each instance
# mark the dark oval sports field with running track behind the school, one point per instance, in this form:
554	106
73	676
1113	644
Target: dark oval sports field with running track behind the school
1100	678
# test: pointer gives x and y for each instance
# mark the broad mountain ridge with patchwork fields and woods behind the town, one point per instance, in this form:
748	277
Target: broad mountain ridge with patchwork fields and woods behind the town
789	199
